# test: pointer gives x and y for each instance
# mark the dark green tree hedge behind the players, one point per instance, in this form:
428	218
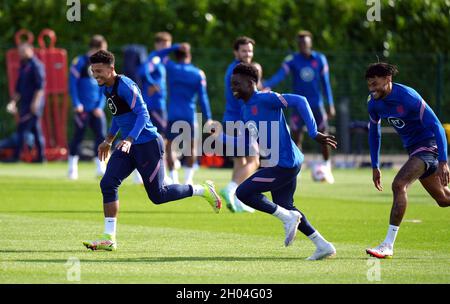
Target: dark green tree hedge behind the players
414	34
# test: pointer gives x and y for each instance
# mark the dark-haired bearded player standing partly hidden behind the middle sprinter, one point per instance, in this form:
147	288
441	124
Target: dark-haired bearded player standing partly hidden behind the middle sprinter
243	166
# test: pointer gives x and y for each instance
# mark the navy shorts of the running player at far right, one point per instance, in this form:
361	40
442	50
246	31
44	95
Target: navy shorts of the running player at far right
427	151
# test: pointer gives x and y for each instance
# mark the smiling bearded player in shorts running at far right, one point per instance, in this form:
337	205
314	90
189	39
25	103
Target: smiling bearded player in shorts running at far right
423	137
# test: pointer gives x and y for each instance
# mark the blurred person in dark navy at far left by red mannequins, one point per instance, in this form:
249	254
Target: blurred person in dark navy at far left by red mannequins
29	93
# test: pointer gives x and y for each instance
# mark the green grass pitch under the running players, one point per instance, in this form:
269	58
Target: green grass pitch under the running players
44	217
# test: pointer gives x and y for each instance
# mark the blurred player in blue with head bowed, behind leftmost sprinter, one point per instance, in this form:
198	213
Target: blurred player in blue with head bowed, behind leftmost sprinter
88	104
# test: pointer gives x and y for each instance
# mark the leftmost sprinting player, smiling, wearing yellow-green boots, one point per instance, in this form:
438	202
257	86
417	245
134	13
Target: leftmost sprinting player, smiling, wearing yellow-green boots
140	148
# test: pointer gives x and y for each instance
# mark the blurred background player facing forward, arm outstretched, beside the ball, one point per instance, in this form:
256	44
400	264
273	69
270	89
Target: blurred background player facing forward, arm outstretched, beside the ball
310	76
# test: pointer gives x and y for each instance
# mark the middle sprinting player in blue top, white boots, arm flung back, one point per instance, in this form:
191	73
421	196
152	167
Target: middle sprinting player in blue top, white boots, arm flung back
280	175
